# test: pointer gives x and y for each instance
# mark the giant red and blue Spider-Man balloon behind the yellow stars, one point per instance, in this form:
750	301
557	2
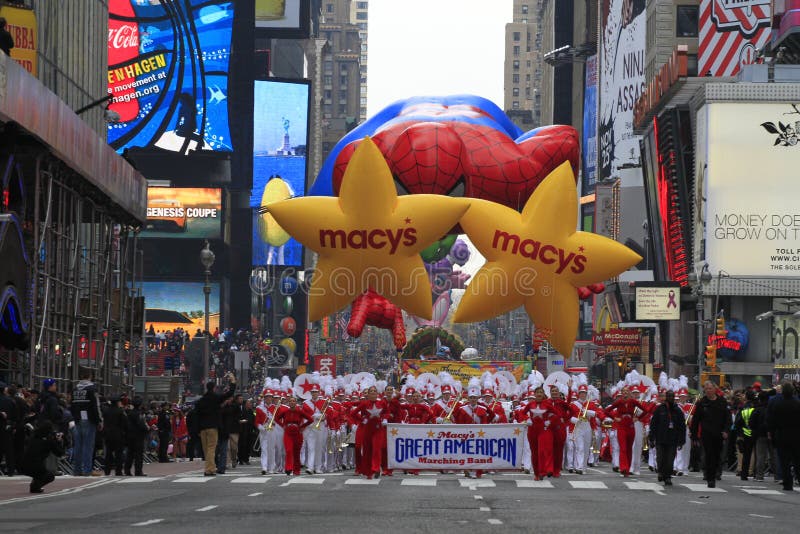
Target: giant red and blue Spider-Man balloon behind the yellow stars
455	145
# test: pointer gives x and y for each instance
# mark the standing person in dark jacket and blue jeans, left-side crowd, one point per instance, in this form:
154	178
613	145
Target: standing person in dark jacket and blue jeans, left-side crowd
85	409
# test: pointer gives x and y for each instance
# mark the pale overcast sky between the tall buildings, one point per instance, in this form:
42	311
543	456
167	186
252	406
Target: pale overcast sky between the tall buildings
435	47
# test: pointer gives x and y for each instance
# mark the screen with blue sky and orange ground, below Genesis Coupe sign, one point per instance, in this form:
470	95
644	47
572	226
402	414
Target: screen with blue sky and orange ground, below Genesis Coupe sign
171	305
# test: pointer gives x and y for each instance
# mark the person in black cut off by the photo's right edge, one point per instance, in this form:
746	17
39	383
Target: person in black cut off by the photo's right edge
783	421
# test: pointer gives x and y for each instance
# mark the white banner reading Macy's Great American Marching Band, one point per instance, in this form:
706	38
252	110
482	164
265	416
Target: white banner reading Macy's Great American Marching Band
448	446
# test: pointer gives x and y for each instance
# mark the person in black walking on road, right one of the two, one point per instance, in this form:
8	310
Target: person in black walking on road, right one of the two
710	425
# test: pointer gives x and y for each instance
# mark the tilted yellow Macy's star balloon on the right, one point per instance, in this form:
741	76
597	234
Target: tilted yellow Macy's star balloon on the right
537	259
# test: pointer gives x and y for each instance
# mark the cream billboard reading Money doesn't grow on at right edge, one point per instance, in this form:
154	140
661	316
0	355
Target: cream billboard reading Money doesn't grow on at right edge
752	231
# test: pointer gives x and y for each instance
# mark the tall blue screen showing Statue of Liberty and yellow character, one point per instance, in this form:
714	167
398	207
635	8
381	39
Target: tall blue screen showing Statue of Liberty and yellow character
280	136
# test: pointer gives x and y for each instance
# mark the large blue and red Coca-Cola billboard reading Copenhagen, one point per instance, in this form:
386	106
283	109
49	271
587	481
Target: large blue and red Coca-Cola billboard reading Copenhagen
168	74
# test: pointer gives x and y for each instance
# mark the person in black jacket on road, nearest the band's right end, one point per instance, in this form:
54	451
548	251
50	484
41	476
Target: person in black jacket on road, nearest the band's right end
668	435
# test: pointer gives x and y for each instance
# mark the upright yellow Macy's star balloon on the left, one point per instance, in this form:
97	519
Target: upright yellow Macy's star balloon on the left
368	236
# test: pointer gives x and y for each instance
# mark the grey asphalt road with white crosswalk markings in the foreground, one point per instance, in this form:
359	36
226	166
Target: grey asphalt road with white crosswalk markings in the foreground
244	501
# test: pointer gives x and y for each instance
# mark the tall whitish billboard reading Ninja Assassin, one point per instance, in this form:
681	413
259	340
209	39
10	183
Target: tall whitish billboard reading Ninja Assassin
622	64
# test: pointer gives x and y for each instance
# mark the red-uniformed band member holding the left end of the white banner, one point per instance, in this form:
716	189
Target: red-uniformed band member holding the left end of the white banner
371	414
